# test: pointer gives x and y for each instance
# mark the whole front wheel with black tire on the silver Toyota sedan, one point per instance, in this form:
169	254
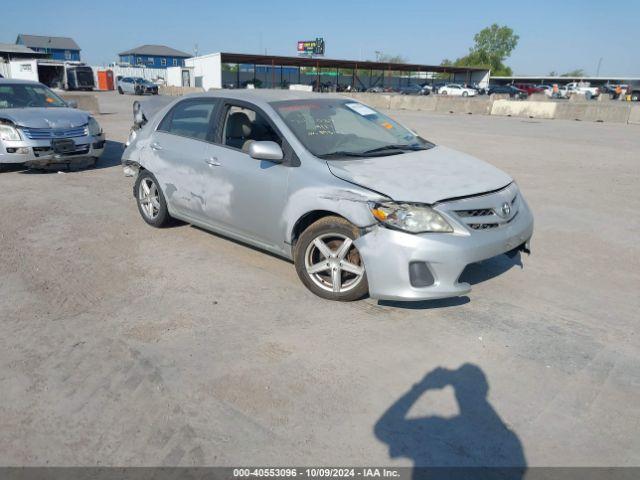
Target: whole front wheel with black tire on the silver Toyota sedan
327	261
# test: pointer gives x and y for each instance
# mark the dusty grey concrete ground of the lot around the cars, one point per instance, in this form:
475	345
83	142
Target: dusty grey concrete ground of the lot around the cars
121	344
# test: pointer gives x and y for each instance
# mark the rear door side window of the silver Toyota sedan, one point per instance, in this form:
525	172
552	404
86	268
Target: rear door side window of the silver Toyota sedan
189	118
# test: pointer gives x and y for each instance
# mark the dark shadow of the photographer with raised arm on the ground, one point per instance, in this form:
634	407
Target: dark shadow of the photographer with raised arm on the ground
476	437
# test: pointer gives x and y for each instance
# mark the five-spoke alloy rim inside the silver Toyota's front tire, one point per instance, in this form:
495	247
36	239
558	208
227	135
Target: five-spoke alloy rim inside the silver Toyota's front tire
333	263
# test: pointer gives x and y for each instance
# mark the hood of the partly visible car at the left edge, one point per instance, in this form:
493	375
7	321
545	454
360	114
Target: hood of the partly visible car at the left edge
57	117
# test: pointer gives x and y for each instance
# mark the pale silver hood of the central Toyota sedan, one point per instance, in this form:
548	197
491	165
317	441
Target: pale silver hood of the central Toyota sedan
425	176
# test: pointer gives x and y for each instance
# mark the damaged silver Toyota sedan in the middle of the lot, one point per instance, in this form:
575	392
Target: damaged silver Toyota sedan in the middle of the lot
360	203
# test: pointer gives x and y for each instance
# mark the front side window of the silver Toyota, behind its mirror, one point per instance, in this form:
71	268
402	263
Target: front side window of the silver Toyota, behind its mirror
243	125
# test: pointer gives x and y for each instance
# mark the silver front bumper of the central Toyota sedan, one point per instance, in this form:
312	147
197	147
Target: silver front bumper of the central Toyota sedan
404	266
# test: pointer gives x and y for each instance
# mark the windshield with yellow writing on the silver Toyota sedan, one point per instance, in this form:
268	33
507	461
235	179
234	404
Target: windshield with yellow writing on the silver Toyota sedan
341	128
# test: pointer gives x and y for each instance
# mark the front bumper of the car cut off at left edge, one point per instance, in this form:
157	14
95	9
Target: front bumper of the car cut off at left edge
43	153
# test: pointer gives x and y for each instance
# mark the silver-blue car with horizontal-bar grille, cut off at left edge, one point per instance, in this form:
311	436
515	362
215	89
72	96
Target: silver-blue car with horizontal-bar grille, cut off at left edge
38	128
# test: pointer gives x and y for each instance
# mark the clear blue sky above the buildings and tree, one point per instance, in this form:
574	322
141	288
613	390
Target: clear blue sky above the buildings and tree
554	35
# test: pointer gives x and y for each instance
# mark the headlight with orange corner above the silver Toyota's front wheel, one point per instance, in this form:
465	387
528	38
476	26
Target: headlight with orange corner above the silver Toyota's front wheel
410	218
